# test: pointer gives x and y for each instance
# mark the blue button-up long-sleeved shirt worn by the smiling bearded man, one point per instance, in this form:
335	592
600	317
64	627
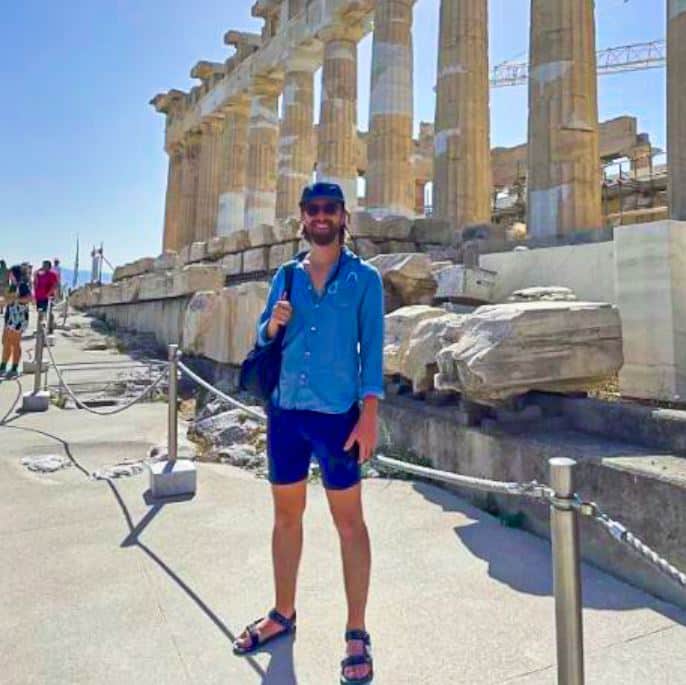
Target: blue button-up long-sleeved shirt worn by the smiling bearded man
333	346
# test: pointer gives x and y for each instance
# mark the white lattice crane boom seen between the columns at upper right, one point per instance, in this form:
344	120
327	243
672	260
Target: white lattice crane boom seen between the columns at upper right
634	57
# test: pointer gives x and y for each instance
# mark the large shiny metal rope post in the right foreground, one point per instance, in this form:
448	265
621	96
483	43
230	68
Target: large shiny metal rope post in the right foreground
566	575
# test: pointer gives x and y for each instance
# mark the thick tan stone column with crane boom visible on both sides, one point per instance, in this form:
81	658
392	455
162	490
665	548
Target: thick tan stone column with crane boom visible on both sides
564	190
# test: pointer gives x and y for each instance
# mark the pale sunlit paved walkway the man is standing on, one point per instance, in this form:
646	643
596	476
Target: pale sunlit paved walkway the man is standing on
99	585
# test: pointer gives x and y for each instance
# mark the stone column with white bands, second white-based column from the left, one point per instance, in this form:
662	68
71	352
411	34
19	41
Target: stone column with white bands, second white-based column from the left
263	132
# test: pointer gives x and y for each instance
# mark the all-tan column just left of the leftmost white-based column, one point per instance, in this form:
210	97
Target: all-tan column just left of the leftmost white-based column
209	179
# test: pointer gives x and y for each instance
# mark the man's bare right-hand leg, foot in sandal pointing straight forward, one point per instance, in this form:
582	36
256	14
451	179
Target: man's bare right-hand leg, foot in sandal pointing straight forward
346	509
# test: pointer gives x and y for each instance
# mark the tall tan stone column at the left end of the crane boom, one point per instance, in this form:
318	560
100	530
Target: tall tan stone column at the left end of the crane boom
462	161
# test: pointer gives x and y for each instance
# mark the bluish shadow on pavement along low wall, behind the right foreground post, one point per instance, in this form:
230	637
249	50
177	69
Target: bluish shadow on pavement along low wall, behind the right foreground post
531	573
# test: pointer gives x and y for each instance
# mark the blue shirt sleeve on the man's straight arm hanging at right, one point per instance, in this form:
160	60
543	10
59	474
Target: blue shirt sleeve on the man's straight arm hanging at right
372	338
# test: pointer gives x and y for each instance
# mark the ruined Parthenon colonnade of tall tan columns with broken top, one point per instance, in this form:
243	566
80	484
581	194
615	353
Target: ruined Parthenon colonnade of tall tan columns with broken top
236	162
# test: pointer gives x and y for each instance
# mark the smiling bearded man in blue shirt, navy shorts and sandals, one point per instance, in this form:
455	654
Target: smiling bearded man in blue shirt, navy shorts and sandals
332	361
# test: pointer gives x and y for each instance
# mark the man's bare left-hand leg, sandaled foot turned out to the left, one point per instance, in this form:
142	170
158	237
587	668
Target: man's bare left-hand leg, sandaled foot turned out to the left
287	540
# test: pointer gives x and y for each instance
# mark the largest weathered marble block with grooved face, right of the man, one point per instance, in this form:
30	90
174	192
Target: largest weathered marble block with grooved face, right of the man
508	349
